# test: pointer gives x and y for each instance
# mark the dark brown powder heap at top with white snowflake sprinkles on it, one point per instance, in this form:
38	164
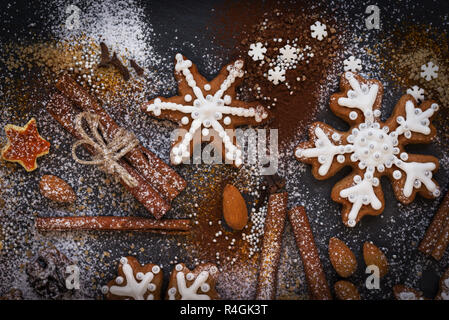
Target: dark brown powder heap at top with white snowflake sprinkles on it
281	31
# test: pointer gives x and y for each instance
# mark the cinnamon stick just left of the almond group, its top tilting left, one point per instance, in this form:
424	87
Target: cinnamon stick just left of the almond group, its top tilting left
315	276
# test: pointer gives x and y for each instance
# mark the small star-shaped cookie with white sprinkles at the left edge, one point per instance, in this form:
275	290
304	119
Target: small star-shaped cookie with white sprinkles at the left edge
24	145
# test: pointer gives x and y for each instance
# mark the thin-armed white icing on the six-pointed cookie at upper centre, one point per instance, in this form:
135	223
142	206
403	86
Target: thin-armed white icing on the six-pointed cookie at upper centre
207	111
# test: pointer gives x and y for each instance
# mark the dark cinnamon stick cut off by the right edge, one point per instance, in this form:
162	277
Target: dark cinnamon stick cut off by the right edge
436	227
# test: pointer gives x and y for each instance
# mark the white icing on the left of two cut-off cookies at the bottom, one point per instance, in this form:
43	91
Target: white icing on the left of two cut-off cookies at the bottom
135	288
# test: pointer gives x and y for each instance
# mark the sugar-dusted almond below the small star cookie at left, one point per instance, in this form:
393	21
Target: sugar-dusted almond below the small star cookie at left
56	189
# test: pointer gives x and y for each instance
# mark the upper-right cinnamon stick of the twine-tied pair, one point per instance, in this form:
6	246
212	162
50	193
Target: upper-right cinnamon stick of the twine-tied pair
154	170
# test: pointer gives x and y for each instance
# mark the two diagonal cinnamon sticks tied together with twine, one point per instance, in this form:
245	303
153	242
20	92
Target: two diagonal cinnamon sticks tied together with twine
158	184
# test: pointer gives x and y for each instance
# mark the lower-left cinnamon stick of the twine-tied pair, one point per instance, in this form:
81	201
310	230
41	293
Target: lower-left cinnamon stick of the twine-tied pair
64	112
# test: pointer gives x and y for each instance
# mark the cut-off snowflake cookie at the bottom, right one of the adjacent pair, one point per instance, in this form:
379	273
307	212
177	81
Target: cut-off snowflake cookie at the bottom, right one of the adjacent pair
198	284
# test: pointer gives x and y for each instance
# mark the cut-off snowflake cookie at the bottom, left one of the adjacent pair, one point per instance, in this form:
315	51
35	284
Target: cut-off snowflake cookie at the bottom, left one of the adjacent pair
135	281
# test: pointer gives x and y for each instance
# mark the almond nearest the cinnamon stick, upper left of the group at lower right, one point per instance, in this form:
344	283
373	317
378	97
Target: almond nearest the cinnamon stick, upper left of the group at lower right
342	258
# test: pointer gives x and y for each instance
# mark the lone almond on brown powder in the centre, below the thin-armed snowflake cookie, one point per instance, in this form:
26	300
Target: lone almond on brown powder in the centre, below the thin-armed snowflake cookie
235	212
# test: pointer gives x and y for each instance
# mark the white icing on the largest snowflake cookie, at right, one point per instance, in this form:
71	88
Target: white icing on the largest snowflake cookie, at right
373	148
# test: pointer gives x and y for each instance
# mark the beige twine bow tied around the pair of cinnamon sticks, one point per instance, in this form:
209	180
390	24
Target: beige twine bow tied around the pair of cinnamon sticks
108	151
